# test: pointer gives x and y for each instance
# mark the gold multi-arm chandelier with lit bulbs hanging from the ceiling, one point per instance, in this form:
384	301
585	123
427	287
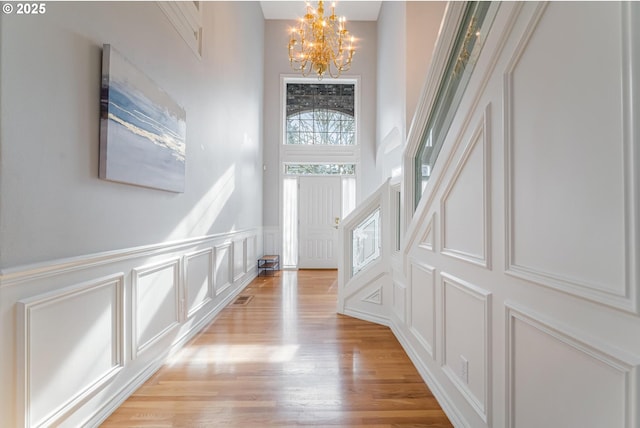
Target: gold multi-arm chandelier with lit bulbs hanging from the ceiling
321	44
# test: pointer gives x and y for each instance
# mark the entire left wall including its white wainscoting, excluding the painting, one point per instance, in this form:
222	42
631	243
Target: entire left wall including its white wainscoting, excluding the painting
81	256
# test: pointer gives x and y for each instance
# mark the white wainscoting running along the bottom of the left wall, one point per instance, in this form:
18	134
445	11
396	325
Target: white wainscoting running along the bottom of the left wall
89	330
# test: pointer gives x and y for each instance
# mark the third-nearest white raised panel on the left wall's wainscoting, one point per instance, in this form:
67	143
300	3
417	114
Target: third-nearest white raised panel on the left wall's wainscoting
198	295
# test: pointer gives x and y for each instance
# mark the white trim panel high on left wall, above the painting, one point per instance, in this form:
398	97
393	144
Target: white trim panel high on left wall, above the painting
186	17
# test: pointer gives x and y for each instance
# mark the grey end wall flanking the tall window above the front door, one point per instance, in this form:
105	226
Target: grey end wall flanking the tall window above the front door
277	65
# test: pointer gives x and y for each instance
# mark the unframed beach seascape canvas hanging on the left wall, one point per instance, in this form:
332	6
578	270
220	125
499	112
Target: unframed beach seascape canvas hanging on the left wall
142	130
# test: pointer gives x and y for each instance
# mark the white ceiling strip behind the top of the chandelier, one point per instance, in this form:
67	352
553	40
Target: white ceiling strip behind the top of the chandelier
359	10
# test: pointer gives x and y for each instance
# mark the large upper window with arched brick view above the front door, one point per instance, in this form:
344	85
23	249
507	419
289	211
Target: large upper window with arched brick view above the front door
320	114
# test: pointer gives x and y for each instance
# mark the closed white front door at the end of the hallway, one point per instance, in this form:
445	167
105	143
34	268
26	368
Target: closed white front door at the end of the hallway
320	210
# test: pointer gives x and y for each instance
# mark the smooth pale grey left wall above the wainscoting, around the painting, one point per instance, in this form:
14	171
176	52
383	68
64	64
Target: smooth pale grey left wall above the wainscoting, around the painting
53	203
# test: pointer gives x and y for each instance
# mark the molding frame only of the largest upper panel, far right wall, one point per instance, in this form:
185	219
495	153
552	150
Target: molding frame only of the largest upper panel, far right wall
620	292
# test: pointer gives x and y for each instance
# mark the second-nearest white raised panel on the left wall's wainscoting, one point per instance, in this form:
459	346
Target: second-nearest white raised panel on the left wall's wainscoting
156	303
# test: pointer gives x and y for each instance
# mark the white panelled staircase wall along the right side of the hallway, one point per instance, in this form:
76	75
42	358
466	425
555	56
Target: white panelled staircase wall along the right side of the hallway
518	295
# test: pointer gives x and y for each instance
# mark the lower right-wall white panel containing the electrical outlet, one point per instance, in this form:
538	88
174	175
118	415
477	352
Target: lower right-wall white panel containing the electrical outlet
466	335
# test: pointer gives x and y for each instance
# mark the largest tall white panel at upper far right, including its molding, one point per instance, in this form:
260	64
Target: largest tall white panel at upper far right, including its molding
555	214
